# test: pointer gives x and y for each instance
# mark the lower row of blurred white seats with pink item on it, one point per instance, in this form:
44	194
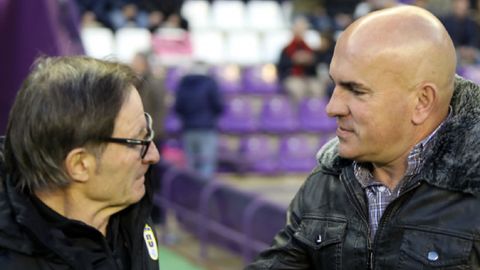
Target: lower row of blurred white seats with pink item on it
173	46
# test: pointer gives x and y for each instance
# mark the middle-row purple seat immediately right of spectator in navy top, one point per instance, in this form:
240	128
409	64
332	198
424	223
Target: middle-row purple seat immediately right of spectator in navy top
240	116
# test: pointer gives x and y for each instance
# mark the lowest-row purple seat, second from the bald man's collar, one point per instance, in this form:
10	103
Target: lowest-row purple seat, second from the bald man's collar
260	152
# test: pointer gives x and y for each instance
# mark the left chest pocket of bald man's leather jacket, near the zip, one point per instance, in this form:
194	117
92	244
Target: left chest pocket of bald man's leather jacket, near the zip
323	237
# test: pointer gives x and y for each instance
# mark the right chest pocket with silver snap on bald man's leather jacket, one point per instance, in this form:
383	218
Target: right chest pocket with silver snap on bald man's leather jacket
434	250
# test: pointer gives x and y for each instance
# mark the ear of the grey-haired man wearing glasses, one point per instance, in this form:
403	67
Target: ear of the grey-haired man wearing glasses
80	164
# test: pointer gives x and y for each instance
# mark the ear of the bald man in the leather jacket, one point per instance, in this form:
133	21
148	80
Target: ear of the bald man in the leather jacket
426	98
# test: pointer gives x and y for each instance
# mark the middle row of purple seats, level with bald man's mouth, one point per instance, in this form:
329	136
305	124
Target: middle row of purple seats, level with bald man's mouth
273	114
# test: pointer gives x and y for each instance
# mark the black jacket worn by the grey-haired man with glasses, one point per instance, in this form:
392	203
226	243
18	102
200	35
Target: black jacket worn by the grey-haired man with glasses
29	241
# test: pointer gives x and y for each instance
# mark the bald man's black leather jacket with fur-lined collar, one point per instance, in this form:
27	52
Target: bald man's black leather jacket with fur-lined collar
433	224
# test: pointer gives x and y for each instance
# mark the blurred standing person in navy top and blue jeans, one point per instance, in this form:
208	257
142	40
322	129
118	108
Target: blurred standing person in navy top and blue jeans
199	104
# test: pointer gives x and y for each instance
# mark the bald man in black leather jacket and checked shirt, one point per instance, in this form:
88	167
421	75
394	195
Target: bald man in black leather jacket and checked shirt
399	186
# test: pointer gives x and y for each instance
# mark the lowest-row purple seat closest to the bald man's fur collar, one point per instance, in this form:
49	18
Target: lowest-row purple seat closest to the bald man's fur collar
297	153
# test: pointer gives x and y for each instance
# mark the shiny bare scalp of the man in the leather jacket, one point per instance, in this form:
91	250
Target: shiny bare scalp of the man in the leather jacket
407	41
